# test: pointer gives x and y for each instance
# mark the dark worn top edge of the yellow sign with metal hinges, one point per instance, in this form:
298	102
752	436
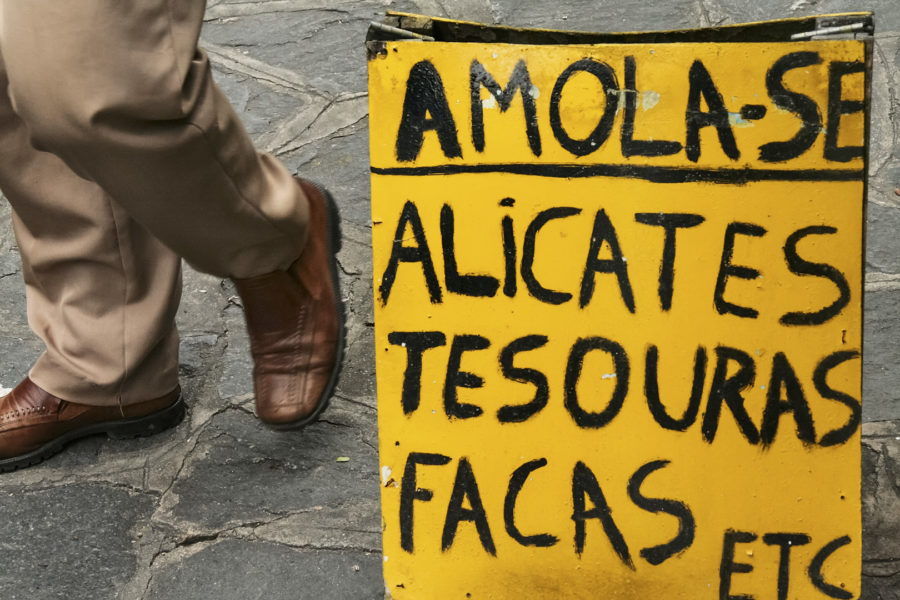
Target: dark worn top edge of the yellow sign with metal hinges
412	27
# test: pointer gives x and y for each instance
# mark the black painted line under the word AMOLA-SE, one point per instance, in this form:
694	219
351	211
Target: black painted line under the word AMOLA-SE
655	174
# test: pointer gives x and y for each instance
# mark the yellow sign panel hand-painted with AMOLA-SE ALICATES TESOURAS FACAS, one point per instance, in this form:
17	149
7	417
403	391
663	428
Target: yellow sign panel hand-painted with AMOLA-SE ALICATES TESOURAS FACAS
618	318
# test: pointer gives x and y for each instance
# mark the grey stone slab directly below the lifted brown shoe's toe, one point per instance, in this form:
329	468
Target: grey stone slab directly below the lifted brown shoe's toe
242	472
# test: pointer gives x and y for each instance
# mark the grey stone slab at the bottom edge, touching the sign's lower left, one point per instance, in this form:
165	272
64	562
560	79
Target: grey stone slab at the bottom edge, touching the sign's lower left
235	569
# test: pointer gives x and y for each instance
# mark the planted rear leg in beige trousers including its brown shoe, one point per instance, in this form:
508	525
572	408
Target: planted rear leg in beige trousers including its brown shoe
101	292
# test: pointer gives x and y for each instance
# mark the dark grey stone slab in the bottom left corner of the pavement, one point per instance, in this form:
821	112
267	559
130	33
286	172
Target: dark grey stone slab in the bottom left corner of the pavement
52	545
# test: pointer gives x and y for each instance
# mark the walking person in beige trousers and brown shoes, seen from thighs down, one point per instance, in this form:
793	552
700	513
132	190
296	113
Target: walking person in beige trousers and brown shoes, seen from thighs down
120	156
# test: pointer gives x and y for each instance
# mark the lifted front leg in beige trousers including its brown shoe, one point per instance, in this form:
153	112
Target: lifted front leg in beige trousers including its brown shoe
135	110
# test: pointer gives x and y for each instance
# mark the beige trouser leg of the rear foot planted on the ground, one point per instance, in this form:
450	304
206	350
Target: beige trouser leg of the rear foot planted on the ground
101	291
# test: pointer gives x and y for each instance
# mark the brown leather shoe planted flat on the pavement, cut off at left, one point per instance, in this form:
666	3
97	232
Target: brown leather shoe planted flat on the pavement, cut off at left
35	425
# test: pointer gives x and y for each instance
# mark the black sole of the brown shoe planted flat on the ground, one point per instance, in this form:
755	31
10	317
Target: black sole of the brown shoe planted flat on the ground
116	430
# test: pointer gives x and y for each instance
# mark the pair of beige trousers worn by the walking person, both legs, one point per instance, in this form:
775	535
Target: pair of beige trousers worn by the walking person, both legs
118	91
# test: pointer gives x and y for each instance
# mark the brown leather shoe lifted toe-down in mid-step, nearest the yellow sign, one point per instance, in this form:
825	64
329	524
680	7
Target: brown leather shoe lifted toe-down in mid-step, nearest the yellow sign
296	323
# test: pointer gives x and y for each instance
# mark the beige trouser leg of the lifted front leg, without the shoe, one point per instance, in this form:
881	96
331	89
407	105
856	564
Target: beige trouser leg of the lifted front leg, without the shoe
119	91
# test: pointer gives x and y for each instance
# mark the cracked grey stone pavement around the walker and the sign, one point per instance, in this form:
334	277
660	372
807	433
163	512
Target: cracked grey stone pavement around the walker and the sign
224	508
